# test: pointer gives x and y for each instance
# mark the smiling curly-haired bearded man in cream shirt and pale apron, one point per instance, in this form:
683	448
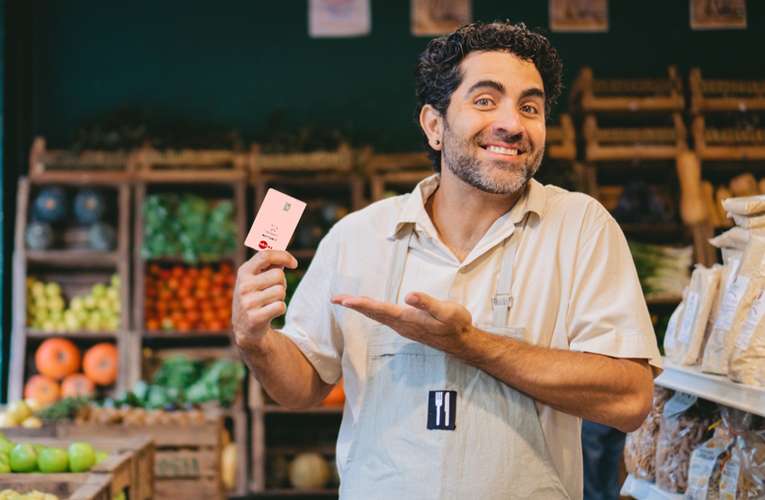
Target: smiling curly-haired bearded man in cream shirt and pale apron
476	320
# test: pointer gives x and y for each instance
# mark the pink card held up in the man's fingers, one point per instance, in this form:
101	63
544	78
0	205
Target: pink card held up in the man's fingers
276	221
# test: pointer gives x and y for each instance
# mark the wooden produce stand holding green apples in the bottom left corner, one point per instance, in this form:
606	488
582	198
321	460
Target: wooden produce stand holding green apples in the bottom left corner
129	467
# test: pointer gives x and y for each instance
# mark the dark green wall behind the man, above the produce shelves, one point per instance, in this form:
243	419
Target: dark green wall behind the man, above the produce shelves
230	62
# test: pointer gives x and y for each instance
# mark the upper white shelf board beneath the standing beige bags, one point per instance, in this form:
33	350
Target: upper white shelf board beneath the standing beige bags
717	388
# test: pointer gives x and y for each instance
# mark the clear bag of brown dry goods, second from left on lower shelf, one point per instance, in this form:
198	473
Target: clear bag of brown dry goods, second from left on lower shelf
684	425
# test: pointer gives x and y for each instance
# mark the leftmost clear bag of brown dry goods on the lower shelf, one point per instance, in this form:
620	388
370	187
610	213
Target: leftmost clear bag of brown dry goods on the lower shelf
640	446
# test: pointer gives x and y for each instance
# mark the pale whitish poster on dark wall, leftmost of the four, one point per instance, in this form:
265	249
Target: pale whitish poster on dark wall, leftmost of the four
339	18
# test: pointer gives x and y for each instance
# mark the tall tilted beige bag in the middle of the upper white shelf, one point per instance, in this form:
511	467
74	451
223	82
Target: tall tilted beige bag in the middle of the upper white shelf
739	297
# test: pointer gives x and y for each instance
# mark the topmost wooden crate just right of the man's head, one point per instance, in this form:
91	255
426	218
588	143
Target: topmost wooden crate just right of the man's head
624	95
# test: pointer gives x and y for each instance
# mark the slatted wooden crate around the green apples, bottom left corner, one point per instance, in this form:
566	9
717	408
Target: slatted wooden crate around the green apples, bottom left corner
129	468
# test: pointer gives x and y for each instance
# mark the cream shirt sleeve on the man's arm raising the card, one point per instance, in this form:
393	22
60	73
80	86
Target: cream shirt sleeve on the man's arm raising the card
310	321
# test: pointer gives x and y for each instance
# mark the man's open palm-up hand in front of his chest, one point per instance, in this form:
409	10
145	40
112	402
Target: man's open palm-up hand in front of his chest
435	323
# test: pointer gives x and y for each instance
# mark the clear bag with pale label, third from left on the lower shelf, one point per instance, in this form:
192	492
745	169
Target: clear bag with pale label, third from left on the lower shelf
706	465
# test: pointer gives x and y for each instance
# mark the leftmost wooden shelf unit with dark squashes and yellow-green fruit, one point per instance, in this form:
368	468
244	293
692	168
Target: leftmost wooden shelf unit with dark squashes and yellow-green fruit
79	261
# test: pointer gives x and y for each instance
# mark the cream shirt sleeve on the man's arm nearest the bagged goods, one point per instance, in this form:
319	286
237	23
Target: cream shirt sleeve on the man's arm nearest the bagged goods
608	314
